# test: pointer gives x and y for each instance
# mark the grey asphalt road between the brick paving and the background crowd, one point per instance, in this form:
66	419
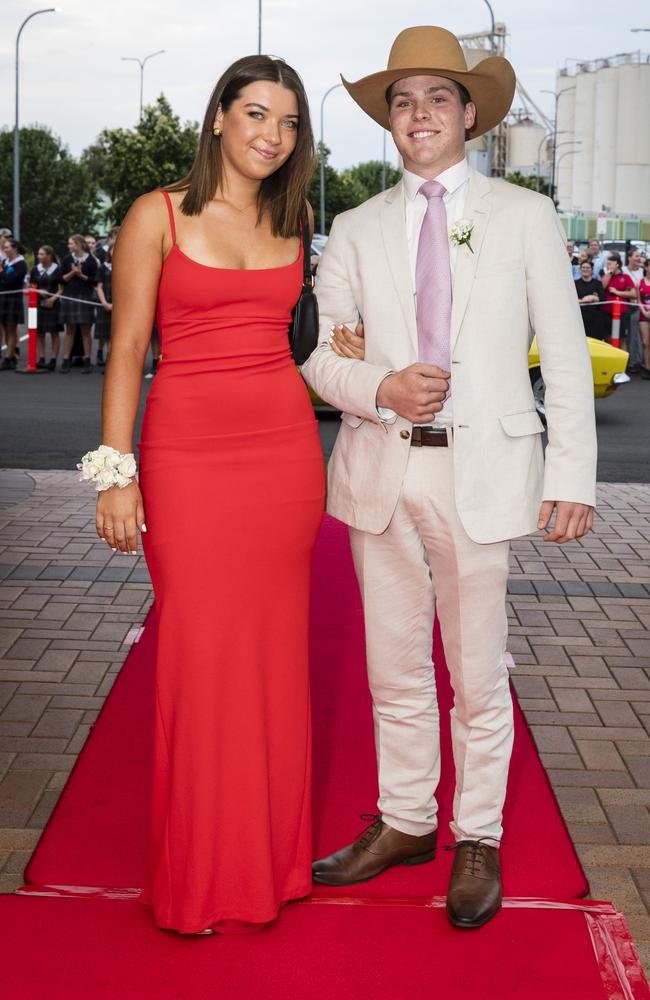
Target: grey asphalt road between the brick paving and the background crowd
48	421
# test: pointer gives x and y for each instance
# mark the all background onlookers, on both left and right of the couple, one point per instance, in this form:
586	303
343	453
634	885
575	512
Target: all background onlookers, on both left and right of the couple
75	301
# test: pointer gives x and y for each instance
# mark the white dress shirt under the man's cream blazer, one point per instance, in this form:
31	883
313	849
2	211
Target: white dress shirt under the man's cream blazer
455	180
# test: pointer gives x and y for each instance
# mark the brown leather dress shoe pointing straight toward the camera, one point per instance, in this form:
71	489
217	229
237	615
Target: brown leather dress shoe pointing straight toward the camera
475	887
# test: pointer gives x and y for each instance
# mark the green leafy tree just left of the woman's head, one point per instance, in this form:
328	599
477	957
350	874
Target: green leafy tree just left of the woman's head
129	162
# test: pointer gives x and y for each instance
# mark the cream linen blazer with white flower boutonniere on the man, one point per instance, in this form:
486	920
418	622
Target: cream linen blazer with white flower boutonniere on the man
516	284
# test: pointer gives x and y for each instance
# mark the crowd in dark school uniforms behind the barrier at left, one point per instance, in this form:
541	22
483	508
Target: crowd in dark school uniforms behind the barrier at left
74	303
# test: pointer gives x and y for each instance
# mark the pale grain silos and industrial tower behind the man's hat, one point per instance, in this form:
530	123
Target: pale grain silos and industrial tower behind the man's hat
597	150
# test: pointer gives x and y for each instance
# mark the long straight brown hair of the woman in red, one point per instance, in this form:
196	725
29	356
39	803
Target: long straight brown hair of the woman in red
284	192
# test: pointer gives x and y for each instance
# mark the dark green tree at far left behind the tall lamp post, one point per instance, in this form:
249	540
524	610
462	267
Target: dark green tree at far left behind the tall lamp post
58	194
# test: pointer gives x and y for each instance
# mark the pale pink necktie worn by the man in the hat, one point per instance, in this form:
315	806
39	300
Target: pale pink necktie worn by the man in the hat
433	281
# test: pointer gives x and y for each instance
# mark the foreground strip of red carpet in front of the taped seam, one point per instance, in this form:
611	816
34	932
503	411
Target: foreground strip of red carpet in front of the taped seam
73	949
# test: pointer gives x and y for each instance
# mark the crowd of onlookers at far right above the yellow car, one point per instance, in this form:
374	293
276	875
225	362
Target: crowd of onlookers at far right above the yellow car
601	278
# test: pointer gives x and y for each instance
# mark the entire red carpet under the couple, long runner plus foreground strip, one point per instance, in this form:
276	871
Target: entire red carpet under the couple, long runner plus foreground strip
62	939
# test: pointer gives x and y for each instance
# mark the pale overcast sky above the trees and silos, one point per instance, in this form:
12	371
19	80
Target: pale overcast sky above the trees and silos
72	78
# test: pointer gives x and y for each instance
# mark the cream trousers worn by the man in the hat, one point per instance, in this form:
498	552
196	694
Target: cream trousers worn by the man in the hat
425	561
